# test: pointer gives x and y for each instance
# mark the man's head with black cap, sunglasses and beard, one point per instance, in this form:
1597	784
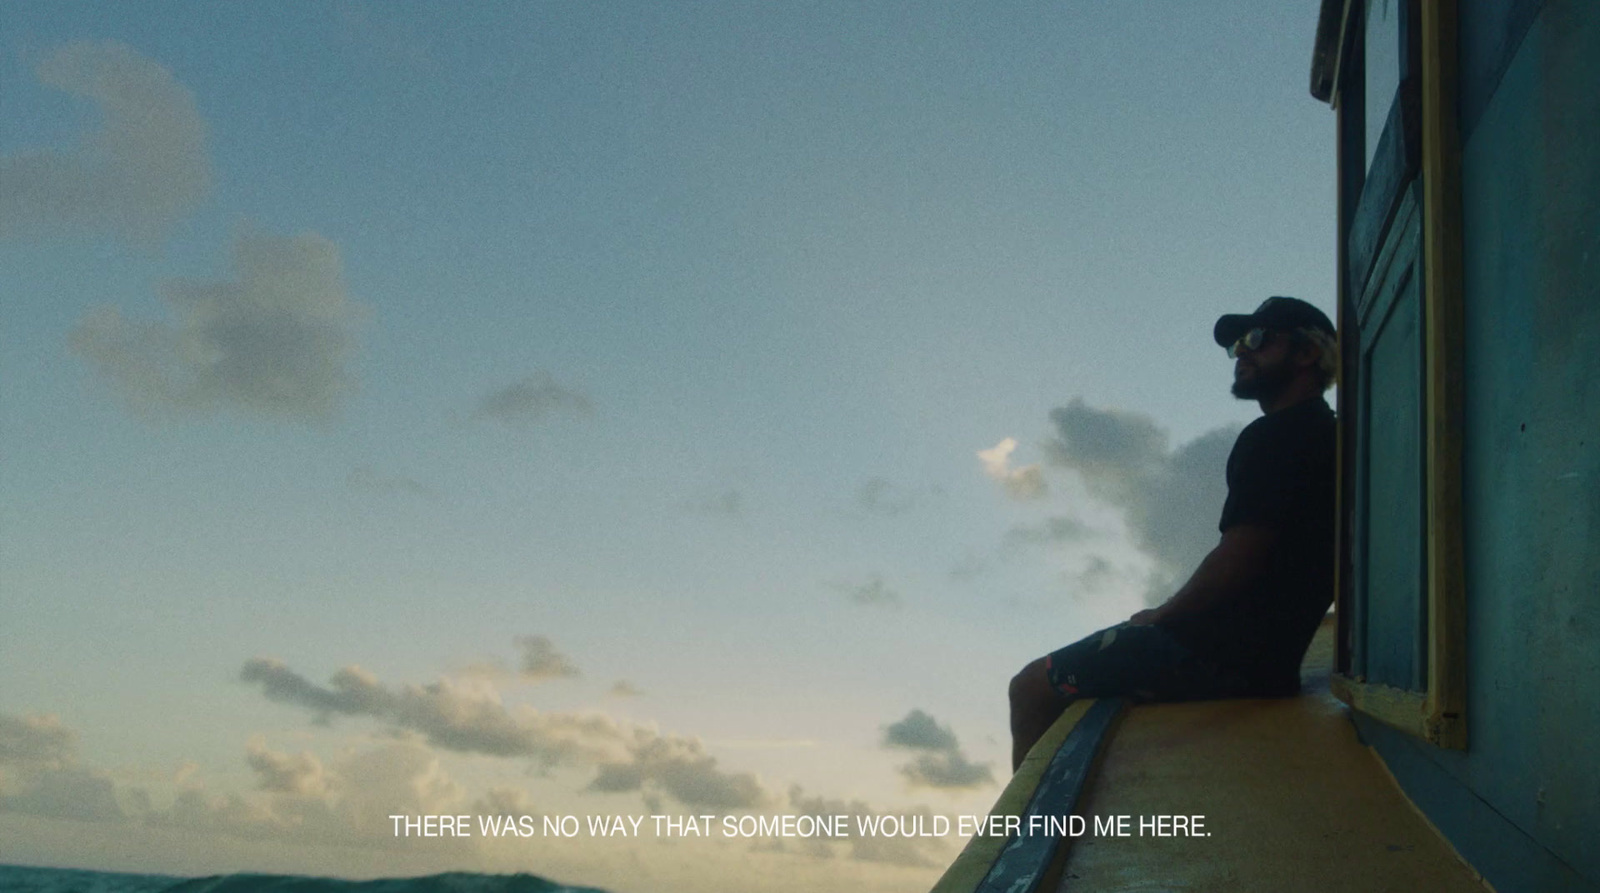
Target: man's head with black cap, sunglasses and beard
1286	346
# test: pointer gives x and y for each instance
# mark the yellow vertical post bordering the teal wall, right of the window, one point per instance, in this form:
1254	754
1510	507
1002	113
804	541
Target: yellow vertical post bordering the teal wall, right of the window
1444	342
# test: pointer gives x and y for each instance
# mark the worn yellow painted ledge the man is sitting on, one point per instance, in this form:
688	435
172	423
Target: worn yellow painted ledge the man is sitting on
1292	801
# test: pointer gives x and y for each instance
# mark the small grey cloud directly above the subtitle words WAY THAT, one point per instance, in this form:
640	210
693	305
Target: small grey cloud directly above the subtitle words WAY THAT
681	769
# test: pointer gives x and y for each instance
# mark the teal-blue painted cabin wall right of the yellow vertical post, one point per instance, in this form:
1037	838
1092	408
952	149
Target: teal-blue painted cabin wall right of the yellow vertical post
1522	804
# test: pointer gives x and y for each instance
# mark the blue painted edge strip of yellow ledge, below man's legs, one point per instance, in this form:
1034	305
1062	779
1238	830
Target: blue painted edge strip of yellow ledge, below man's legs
1026	859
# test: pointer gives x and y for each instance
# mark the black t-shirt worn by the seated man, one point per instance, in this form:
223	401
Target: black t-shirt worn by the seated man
1281	476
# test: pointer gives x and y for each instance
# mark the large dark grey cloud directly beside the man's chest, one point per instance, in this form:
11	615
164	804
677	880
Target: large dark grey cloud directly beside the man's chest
1170	499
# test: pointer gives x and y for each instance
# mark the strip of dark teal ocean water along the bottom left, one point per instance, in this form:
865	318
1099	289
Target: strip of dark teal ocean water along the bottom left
22	879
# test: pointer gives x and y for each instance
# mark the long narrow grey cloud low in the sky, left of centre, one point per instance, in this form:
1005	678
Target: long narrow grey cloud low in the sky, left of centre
444	713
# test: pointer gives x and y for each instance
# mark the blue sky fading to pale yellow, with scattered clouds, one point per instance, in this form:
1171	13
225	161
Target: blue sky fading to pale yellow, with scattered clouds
607	409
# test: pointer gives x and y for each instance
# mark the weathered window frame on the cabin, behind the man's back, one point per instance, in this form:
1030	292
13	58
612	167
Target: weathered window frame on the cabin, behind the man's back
1430	30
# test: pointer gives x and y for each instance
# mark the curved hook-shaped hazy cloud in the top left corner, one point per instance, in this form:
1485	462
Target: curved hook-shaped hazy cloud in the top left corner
142	172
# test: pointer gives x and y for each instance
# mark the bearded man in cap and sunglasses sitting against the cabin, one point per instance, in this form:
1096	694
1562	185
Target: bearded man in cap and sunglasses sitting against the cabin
1242	623
